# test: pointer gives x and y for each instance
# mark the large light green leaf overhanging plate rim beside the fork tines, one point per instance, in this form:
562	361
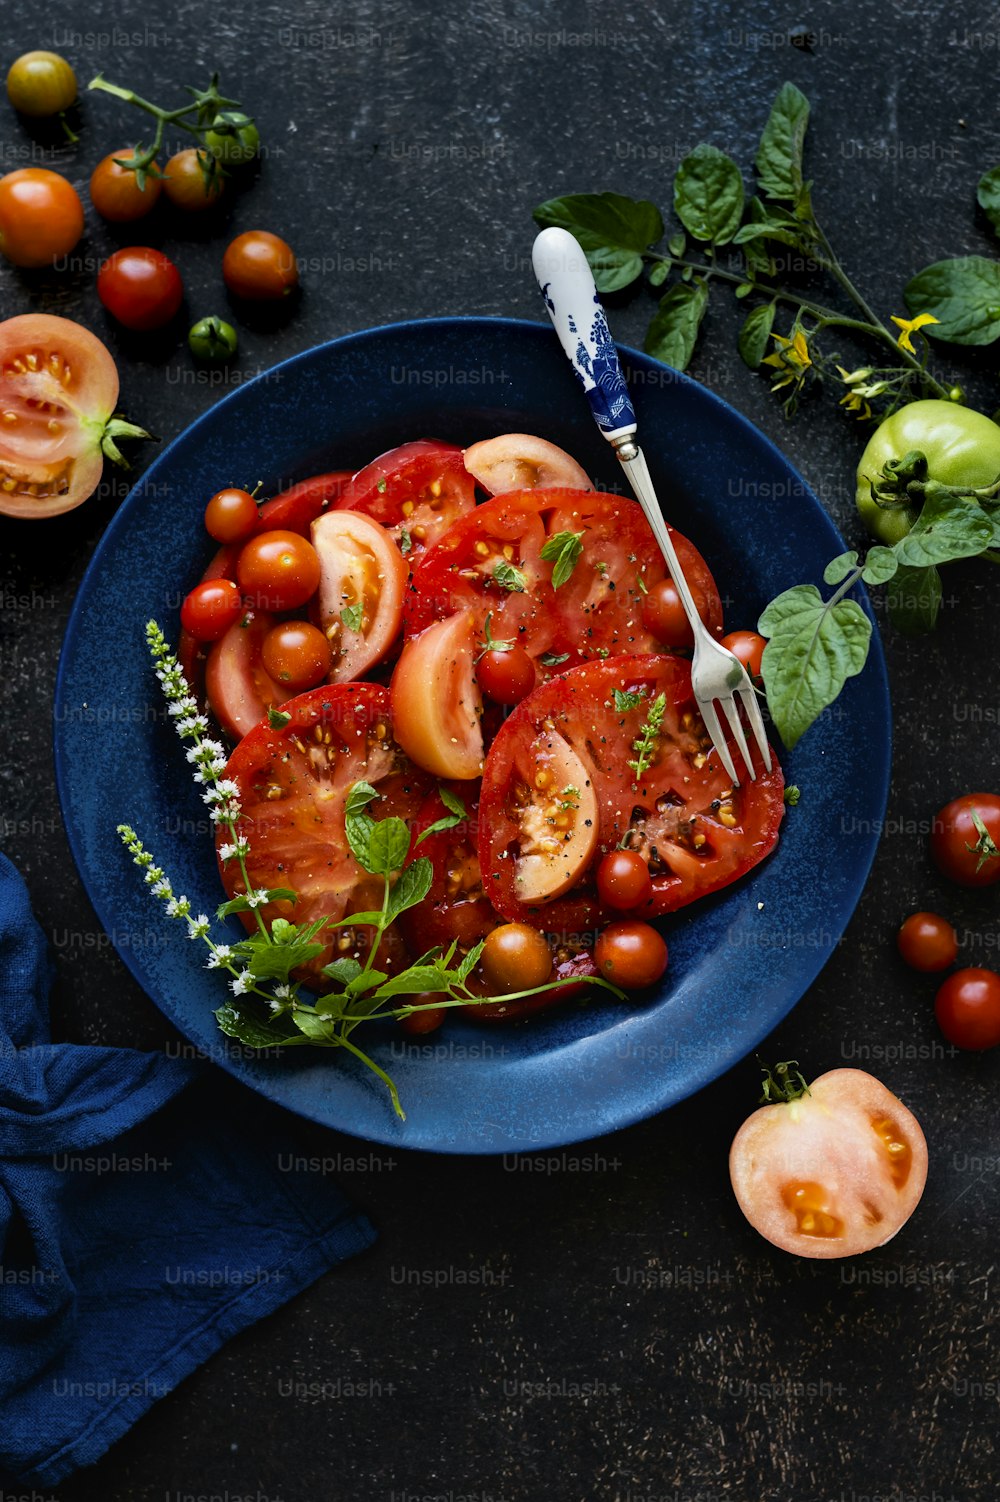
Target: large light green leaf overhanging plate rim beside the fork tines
815	648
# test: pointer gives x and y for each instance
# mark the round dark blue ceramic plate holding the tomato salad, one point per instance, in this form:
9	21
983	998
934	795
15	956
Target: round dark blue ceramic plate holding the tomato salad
738	962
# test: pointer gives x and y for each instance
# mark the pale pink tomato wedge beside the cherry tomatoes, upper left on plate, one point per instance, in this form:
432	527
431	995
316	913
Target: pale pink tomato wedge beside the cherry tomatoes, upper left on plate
363	584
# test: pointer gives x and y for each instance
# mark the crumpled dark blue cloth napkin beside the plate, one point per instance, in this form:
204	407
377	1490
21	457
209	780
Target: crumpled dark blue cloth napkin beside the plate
143	1222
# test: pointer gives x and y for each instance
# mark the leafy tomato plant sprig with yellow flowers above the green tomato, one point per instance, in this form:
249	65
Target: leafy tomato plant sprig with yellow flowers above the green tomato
619	237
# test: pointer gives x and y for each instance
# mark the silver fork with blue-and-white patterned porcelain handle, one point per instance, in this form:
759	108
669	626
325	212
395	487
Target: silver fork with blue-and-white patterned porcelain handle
568	288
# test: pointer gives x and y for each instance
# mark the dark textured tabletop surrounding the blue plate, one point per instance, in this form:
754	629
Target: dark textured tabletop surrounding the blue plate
606	1326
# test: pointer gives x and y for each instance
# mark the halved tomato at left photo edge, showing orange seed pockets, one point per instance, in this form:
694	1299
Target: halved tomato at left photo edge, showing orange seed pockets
61	388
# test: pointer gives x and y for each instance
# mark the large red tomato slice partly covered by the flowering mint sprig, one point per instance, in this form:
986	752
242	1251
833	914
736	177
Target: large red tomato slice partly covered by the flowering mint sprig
294	786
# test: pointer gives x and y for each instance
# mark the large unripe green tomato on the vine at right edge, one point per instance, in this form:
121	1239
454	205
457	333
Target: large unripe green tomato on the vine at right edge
962	448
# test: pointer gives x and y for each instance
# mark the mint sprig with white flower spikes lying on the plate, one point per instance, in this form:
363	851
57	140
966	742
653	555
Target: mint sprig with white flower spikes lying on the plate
270	1009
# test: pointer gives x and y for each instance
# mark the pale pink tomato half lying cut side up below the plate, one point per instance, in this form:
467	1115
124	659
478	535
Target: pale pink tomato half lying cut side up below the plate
831	1174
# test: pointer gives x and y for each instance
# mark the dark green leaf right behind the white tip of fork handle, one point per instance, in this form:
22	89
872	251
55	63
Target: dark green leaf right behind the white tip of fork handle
612	229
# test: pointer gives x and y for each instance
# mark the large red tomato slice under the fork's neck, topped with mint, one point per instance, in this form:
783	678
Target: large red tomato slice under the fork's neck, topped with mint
490	564
